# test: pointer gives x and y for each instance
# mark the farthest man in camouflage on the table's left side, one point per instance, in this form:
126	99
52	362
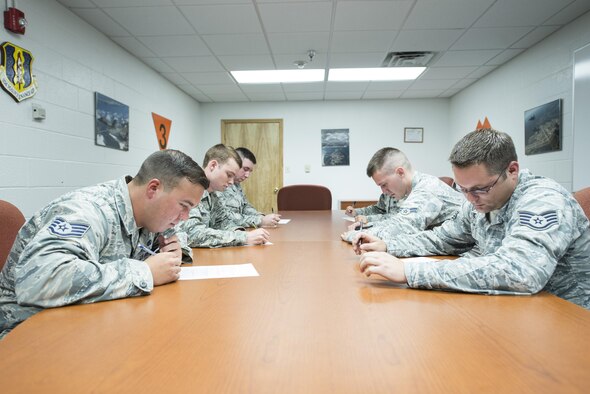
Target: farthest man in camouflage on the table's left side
240	211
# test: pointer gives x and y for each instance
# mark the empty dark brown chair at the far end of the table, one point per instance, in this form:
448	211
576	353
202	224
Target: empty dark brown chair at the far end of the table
304	198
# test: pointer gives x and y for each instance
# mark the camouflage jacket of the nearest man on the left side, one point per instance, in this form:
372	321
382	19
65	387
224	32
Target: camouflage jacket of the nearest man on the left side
81	248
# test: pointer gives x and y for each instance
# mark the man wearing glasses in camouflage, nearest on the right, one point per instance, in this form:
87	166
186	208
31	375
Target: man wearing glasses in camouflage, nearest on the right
516	234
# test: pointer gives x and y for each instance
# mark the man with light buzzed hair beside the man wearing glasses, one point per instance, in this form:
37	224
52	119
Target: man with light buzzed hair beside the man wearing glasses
422	201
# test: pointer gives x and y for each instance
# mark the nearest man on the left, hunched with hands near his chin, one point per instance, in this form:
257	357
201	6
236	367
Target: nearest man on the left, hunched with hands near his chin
87	245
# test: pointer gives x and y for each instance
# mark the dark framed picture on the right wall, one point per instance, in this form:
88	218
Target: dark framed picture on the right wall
542	128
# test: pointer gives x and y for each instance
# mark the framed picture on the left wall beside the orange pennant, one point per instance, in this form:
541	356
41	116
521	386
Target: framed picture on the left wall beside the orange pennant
111	123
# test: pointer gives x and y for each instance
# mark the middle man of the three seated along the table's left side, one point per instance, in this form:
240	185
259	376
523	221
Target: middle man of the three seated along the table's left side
209	224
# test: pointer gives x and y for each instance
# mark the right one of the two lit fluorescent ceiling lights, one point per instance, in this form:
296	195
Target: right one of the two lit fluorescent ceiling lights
375	74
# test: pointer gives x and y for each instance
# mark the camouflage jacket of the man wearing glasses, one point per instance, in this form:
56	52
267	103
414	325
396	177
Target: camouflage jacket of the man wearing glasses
539	240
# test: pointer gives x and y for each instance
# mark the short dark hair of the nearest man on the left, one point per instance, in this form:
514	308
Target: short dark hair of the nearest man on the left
170	166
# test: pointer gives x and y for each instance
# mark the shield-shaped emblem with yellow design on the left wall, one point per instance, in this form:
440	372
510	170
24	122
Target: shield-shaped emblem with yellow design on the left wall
15	72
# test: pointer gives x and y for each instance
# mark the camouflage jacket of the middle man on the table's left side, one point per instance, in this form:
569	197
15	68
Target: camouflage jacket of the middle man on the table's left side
209	225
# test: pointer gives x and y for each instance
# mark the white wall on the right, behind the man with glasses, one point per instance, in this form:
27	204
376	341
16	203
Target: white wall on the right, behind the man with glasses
540	75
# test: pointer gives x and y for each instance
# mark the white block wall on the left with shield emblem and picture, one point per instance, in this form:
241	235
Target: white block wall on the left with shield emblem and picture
40	160
